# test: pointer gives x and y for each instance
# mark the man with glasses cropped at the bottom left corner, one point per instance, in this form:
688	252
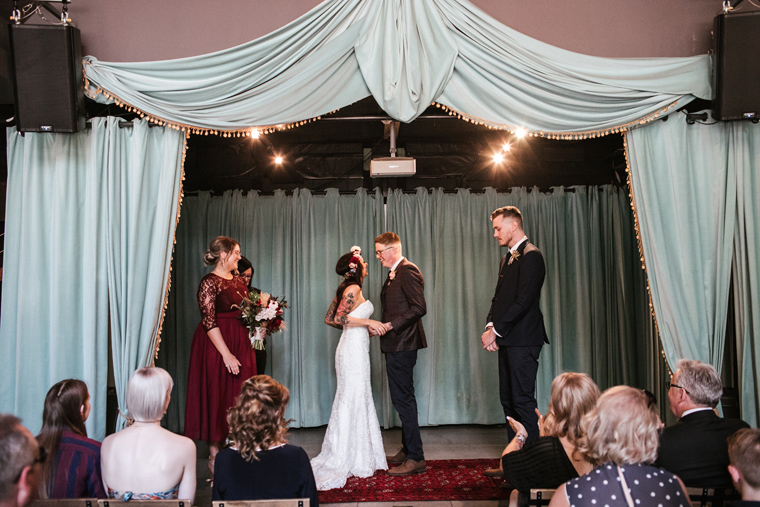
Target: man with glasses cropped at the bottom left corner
19	455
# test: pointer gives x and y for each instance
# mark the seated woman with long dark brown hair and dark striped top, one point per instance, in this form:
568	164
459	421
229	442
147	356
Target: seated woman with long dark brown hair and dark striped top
73	470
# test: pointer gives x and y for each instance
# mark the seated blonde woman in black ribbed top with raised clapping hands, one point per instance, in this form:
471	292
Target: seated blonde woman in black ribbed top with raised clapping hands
553	458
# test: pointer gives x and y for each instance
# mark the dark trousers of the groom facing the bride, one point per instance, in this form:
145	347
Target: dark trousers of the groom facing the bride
400	369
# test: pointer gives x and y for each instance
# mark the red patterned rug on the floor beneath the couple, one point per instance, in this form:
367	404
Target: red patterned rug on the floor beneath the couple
454	479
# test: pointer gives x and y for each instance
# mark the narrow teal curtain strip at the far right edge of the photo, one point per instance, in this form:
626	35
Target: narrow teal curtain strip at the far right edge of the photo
744	157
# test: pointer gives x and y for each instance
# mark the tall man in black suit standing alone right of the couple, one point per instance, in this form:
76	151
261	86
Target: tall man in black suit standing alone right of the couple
515	326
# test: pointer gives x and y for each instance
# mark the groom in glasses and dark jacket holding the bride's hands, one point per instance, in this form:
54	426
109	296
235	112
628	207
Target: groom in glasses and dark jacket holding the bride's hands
403	303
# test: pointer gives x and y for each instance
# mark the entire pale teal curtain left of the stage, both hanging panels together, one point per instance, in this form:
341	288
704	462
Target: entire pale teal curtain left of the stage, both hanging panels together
84	233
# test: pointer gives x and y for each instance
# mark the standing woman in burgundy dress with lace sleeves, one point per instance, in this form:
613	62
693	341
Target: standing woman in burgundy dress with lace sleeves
221	357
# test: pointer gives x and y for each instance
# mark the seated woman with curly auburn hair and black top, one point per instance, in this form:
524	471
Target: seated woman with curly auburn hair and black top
260	464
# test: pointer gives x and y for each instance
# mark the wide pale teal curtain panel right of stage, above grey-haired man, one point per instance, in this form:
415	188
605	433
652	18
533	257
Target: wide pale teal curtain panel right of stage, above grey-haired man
685	197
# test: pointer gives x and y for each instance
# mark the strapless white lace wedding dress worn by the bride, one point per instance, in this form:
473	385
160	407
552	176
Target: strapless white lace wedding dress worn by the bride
353	446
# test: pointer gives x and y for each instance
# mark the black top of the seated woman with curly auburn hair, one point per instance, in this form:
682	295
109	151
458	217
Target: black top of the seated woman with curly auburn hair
282	472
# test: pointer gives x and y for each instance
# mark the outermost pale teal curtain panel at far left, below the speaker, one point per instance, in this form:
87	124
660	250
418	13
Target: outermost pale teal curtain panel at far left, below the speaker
55	291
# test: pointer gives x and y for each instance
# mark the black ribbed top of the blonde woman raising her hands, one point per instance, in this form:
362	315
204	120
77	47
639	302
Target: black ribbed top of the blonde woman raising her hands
542	464
